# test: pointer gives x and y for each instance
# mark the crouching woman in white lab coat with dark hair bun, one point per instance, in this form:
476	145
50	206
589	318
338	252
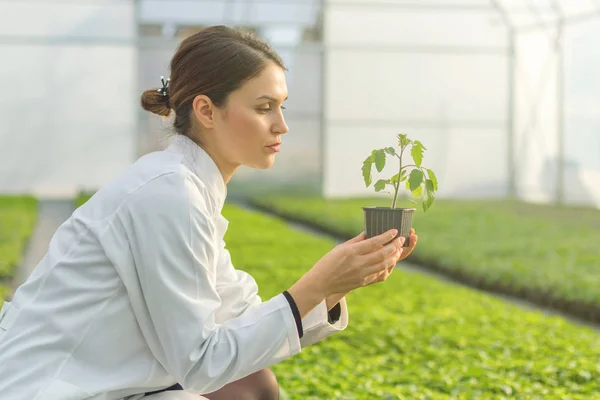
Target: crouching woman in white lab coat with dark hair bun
137	296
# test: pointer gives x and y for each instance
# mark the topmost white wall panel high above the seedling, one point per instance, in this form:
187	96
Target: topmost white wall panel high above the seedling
381	26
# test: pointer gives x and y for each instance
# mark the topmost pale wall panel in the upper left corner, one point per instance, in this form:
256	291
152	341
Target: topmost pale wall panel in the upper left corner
108	19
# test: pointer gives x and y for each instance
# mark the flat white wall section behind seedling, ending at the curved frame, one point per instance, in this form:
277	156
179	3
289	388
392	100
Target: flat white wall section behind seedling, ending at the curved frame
424	74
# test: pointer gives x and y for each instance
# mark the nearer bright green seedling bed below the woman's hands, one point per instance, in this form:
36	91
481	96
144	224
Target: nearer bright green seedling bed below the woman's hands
414	337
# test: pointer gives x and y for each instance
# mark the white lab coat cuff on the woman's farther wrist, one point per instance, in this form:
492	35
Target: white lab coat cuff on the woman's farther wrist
317	325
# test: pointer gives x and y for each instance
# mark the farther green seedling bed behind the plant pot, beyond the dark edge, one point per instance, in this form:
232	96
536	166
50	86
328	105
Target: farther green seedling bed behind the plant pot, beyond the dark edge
505	247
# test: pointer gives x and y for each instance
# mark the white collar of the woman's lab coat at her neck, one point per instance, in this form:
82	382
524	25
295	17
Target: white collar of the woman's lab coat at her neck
202	165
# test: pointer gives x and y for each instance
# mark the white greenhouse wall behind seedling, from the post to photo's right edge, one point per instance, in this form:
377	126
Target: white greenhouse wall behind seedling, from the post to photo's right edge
394	68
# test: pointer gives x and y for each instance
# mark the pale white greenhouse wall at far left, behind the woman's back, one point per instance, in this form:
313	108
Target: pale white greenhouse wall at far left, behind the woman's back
68	94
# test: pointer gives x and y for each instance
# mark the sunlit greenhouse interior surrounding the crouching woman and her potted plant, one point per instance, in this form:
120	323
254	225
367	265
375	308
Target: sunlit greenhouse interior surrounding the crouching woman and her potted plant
502	98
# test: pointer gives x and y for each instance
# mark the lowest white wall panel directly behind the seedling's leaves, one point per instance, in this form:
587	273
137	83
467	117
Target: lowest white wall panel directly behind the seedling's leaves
467	162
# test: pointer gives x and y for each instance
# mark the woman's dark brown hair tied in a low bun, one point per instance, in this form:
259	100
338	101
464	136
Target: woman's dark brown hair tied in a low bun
215	62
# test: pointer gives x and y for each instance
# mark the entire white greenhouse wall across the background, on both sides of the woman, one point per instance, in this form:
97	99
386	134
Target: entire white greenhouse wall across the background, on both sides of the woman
73	72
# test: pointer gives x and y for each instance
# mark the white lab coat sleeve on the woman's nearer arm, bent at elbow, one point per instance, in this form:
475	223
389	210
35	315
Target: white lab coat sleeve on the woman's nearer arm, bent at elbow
171	236
